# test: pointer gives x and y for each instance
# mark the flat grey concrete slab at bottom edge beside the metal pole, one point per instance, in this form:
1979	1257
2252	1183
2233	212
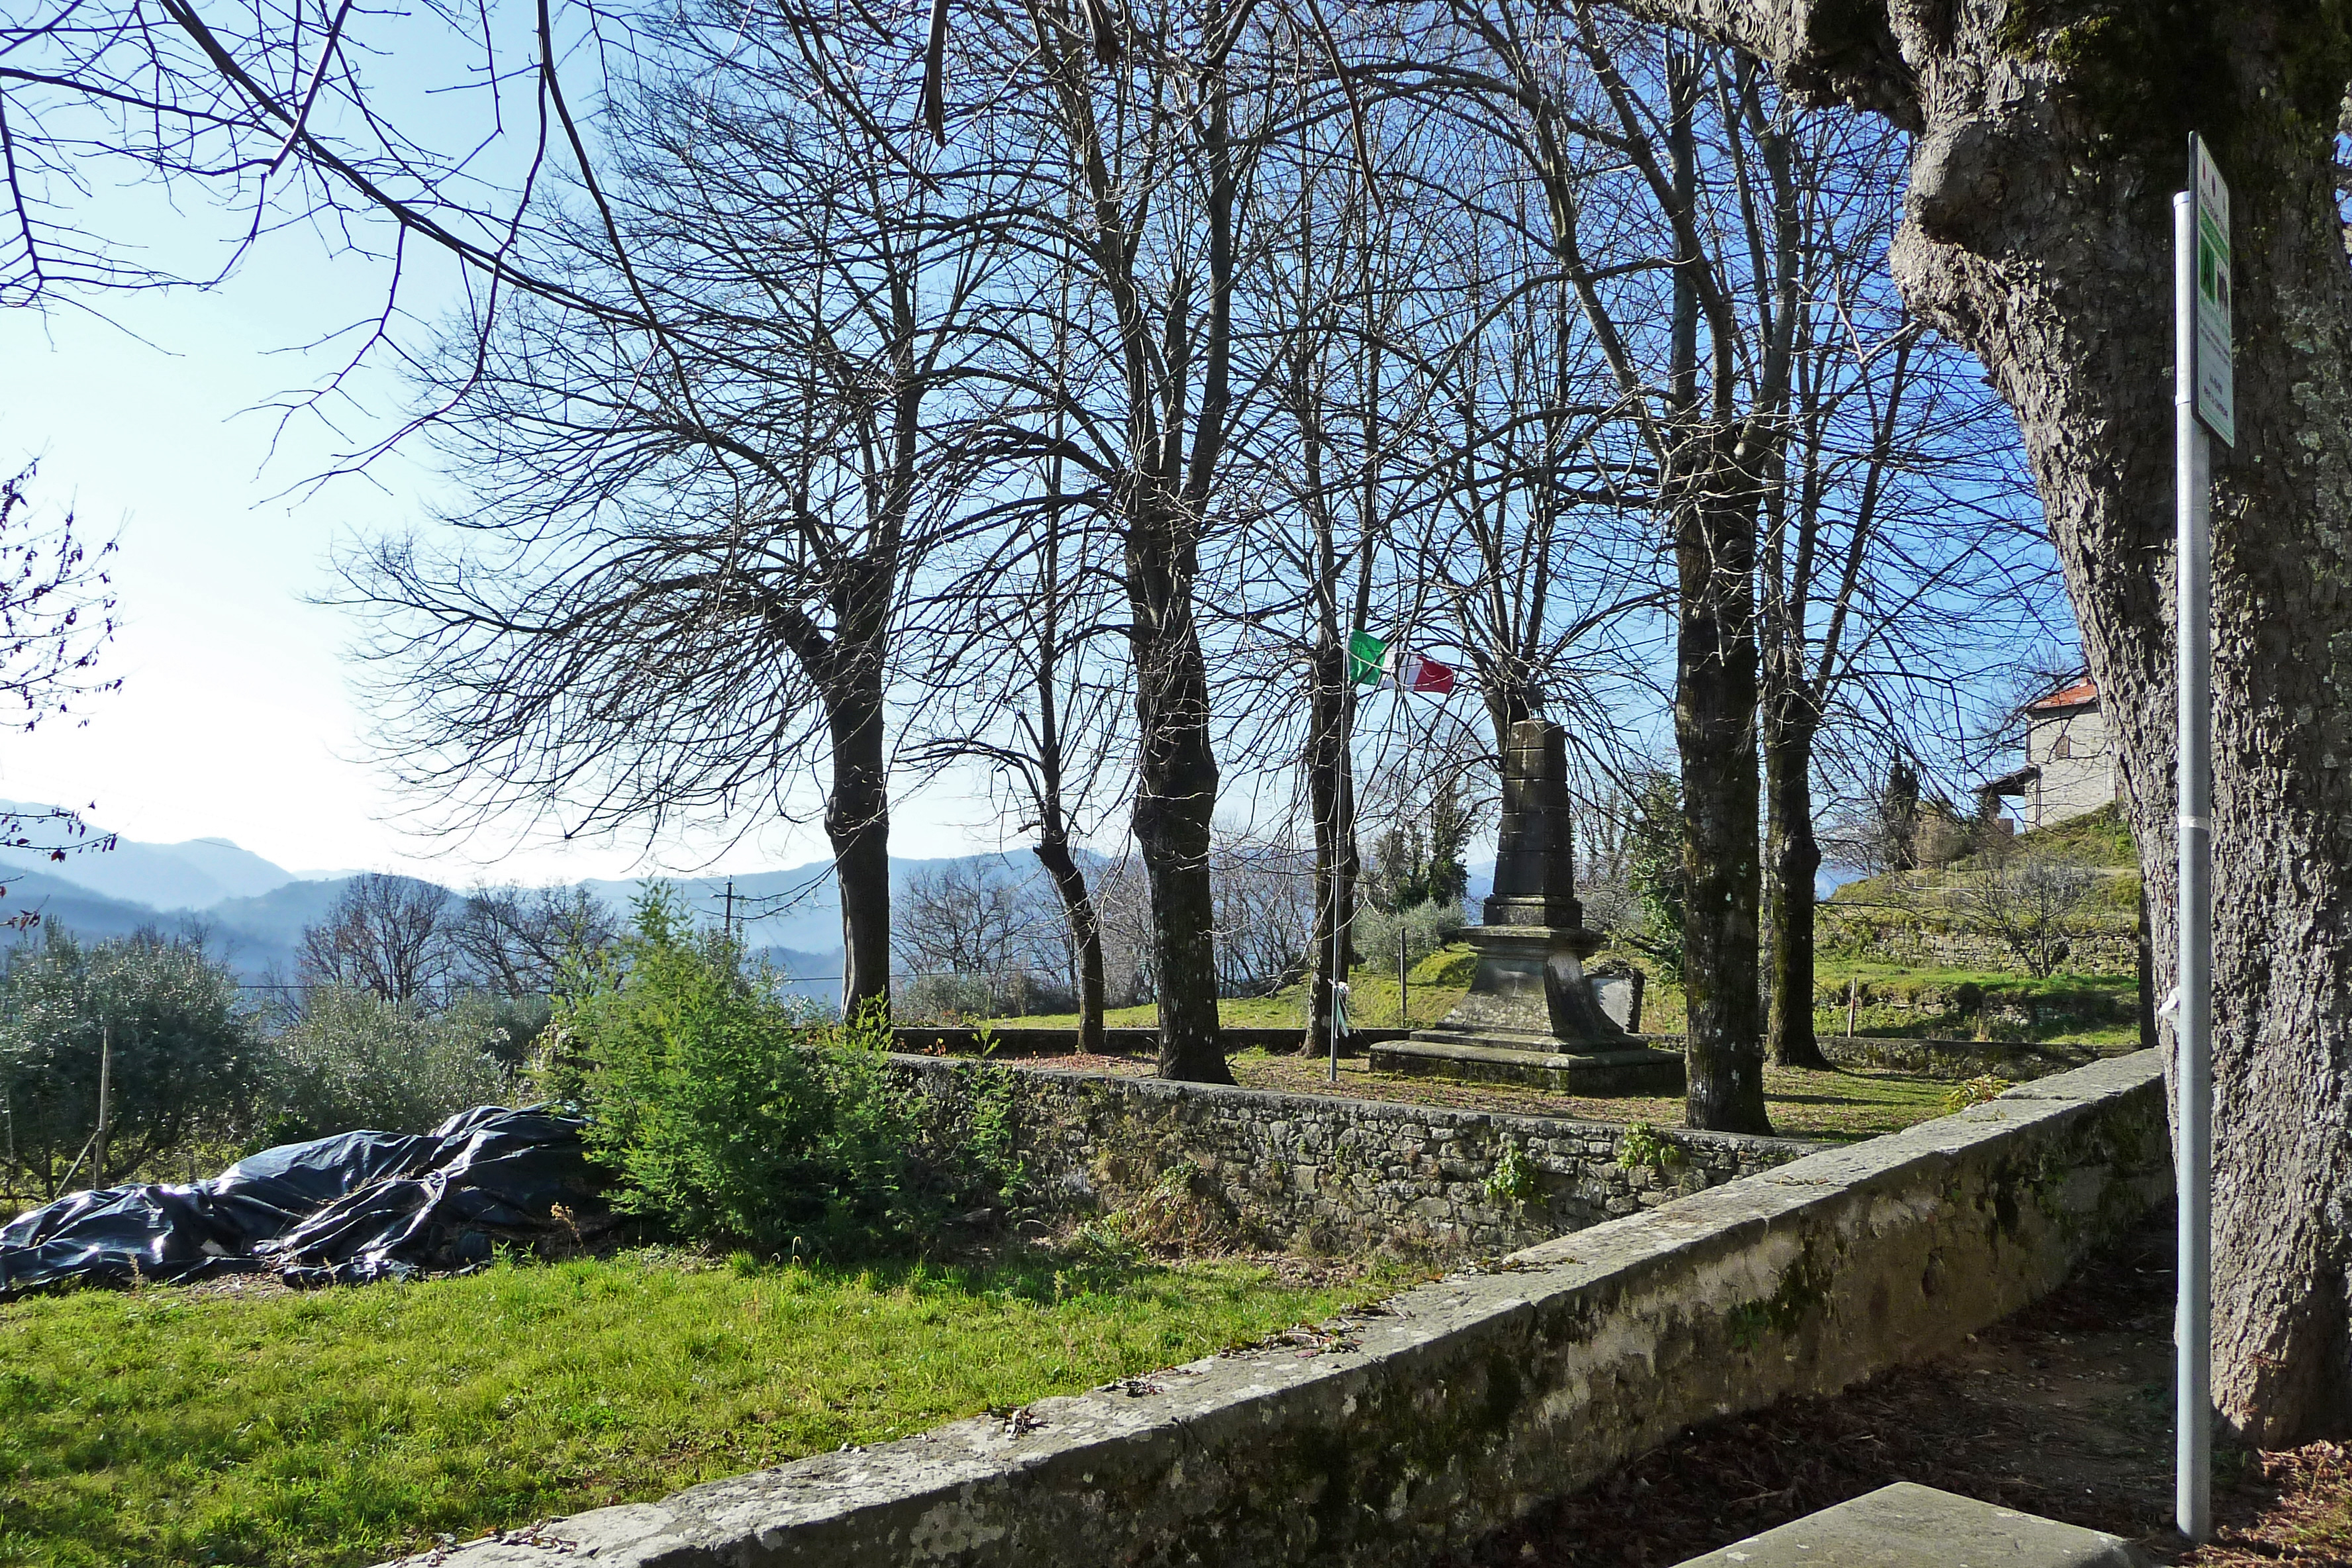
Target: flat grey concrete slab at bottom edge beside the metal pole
1918	1527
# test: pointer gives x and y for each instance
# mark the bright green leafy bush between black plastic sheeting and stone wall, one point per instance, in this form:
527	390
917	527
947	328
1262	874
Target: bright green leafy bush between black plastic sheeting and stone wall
740	1115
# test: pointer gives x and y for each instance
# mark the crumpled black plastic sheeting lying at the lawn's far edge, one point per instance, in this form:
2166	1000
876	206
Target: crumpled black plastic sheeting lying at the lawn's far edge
333	1212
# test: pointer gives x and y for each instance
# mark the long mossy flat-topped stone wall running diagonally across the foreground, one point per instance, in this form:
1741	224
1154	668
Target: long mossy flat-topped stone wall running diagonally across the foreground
1459	1407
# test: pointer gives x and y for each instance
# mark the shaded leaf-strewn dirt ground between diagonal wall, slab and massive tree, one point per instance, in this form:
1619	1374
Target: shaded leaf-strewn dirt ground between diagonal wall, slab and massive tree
2062	1412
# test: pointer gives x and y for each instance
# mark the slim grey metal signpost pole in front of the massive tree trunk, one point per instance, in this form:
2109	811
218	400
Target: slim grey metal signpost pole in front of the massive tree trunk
2193	1078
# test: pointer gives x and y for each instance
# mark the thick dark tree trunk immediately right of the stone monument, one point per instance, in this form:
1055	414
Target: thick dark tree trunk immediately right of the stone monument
1716	706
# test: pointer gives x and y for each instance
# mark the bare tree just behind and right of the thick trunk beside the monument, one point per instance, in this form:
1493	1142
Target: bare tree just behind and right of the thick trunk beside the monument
1899	547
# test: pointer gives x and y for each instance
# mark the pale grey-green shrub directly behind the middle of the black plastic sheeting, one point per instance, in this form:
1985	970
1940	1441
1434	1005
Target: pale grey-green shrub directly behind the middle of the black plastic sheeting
359	1061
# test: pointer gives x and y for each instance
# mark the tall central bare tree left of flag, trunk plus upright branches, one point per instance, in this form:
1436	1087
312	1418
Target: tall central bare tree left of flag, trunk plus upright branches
1149	222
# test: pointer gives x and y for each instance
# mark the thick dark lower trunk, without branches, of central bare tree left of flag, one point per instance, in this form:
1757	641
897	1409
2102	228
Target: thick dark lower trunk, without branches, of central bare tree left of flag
1177	793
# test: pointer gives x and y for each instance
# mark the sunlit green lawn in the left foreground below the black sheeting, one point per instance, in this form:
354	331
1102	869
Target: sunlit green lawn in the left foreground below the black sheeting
178	1426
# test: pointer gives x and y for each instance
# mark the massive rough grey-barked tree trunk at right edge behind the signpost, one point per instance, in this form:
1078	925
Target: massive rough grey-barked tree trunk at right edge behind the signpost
2040	234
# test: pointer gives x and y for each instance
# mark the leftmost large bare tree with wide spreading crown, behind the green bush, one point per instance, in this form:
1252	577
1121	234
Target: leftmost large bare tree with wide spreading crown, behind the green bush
695	556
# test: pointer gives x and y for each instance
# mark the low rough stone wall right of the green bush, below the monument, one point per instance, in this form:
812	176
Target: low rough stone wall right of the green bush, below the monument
1342	1174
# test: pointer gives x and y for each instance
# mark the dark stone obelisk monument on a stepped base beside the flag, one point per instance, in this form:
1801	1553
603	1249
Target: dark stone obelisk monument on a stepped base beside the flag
1530	1014
